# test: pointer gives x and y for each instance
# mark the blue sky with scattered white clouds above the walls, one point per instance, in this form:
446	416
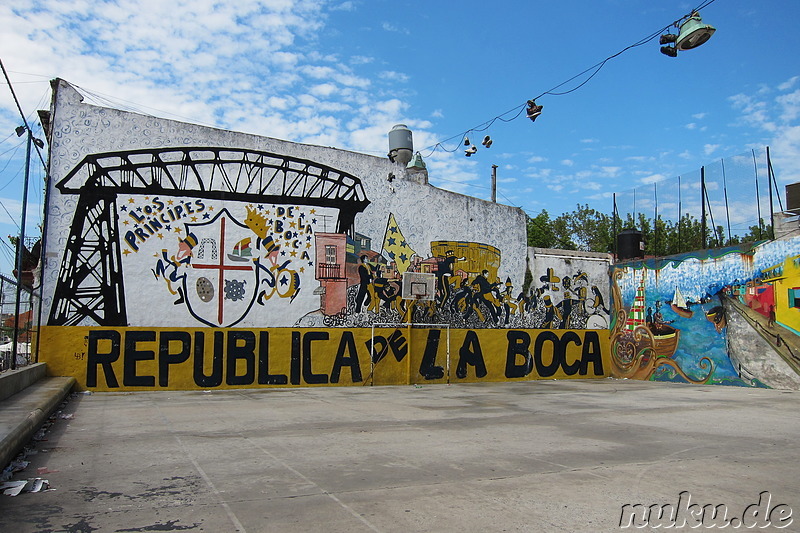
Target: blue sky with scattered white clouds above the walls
342	73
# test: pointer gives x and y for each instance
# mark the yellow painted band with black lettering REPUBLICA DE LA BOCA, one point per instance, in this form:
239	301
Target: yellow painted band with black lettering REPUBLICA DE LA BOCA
113	359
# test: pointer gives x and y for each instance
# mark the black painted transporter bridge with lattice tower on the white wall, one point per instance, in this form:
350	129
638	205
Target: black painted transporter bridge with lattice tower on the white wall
90	283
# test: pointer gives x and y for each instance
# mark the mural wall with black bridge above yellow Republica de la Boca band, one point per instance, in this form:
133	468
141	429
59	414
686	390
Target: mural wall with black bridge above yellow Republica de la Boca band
157	230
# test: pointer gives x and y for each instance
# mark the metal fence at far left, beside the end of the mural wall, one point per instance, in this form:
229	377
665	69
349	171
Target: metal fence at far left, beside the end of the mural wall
23	317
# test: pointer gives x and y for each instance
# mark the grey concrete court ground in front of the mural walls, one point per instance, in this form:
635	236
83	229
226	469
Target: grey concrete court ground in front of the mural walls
536	456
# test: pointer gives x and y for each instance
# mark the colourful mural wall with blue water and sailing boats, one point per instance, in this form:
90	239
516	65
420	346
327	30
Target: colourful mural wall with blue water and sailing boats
670	315
